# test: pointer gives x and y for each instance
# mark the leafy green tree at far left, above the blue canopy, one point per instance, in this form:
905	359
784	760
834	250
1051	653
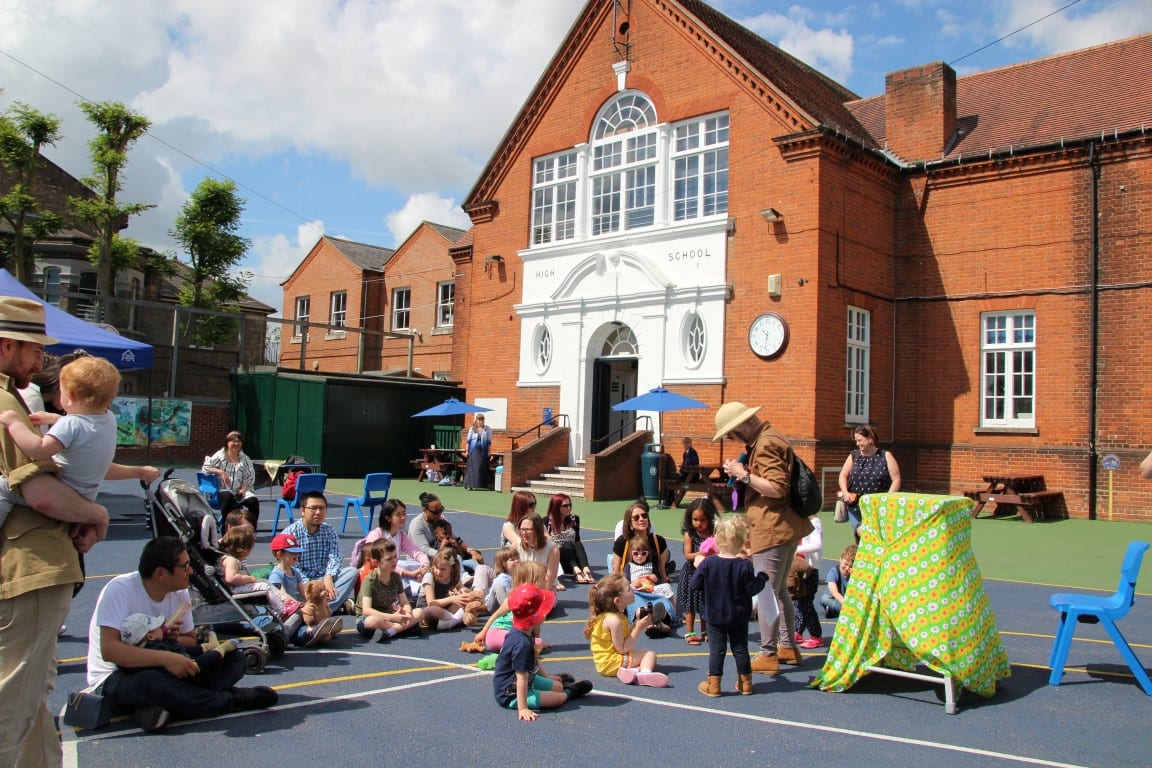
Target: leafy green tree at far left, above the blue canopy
24	133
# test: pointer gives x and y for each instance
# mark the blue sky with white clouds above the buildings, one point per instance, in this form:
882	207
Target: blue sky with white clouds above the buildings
359	119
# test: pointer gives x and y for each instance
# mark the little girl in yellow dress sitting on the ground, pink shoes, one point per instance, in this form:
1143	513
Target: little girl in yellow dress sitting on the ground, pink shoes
615	650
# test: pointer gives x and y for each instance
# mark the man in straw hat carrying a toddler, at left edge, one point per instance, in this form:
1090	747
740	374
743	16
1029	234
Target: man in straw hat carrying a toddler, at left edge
39	561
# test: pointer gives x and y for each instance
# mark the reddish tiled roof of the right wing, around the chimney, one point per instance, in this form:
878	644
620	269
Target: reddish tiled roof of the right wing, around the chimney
1067	97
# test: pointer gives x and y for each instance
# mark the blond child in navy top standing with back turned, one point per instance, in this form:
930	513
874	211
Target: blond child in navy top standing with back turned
729	583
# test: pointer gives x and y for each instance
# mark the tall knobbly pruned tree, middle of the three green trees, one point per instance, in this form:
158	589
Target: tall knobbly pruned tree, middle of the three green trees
119	128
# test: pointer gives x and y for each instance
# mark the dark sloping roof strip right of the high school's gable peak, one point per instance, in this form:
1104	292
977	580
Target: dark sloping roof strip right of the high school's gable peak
816	94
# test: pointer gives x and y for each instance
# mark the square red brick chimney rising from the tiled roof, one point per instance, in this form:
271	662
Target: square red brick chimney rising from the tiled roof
921	111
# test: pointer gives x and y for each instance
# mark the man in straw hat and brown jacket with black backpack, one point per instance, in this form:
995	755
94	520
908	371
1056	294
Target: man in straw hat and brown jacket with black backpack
774	529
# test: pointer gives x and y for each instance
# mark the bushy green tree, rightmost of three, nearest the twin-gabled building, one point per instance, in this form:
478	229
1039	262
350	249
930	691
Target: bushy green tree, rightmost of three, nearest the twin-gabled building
207	230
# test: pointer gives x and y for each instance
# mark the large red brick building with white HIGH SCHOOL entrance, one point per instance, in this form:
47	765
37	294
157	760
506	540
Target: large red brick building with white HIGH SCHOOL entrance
961	262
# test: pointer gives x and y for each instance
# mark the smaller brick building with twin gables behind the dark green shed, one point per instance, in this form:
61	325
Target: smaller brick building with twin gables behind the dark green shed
404	298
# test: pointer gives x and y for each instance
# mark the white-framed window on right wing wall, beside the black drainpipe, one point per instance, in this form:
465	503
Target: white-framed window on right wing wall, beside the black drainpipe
1009	369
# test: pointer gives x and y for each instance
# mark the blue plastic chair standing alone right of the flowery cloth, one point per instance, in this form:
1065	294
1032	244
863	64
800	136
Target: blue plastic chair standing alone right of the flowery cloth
1092	610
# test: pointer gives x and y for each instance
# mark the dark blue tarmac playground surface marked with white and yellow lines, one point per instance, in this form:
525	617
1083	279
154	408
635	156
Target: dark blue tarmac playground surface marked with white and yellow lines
420	702
